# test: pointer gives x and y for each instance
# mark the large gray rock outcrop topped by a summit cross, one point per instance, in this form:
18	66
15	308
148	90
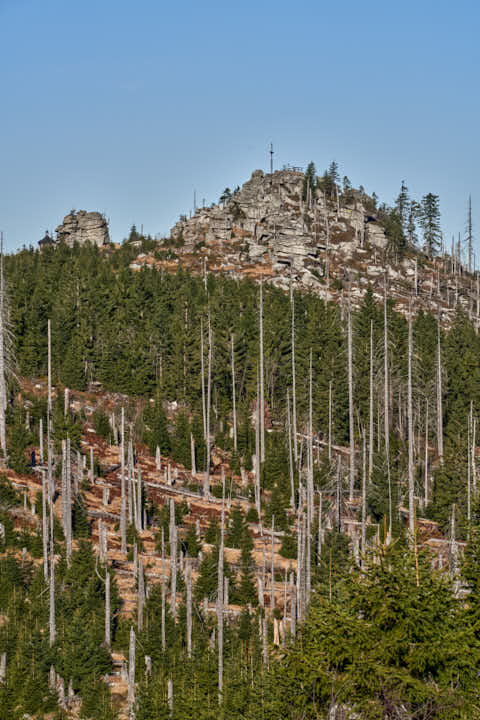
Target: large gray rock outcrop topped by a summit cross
268	222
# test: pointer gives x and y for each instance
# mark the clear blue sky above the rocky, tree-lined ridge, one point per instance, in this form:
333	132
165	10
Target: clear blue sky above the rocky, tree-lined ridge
127	107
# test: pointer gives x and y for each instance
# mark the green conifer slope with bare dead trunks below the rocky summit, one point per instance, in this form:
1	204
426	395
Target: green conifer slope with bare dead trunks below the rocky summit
321	556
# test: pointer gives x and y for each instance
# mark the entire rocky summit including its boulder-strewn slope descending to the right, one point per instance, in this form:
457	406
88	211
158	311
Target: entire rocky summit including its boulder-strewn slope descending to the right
329	246
